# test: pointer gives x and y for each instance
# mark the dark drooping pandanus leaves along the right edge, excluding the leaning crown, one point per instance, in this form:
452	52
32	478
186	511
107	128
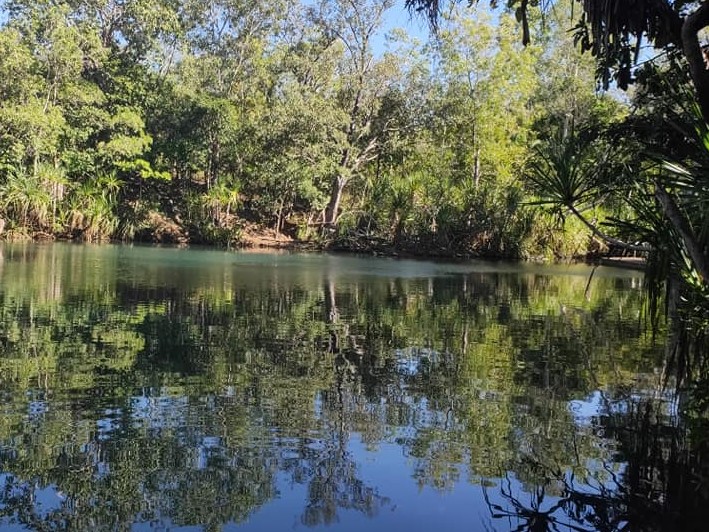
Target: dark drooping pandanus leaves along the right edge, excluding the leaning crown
676	213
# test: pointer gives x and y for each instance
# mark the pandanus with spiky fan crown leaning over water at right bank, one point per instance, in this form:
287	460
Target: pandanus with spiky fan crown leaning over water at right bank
666	203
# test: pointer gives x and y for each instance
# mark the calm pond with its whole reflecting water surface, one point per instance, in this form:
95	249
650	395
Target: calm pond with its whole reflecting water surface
155	388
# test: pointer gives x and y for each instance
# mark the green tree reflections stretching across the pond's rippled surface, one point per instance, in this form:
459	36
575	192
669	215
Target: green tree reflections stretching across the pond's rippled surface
464	373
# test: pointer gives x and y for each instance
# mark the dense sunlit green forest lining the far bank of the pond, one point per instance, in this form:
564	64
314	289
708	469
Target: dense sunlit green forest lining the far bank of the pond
197	122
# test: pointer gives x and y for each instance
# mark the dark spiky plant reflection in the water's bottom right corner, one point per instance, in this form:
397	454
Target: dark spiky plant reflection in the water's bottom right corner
663	485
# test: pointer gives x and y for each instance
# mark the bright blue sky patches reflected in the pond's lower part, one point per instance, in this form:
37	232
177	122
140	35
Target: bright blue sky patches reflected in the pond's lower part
387	466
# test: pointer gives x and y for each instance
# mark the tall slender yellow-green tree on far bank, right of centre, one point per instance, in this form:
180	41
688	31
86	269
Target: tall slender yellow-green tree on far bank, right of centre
491	82
